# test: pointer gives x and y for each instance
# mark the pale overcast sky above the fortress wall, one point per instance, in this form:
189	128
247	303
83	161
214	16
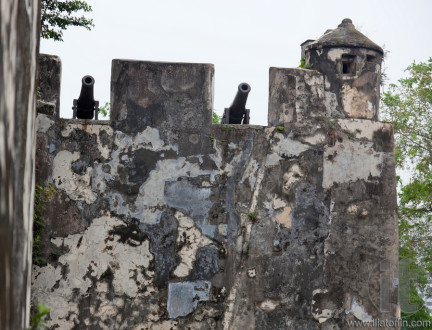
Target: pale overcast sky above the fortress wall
241	38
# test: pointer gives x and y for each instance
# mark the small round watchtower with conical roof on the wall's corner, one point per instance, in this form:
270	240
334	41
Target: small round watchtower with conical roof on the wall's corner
351	64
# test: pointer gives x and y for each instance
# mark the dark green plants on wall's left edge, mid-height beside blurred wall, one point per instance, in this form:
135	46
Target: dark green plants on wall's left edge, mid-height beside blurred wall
41	197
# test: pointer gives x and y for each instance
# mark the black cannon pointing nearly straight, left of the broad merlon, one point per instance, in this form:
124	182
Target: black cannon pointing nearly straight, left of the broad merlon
85	107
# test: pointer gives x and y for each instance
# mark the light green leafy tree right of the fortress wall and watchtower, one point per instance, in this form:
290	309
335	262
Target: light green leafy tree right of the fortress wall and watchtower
408	105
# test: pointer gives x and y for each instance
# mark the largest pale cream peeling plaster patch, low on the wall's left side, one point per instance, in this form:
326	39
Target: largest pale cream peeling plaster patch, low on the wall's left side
98	267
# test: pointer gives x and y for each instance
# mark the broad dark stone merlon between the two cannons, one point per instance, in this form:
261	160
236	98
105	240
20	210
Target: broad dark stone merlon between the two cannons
176	96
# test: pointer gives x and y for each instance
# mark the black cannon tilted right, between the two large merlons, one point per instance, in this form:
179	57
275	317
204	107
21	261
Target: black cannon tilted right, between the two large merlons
237	112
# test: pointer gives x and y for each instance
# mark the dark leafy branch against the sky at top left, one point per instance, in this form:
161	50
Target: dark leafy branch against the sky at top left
57	16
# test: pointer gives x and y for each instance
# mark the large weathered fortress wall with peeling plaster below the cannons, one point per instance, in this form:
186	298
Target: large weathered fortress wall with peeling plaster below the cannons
164	221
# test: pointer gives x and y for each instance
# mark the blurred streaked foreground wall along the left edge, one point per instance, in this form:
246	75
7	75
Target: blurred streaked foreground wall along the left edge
18	48
